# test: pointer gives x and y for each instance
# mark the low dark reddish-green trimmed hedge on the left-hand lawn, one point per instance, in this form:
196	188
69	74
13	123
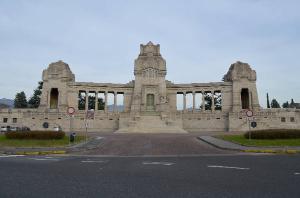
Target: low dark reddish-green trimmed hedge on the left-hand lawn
38	135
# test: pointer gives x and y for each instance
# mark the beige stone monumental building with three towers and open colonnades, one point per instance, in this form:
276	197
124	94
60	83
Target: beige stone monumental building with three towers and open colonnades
149	103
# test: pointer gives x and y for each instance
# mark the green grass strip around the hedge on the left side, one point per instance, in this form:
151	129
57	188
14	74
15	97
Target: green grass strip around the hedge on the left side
37	143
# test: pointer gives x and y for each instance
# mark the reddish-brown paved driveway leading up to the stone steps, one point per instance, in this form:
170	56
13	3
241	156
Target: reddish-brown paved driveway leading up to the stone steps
151	144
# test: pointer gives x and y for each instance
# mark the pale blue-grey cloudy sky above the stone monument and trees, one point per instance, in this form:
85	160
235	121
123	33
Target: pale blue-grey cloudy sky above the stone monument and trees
199	40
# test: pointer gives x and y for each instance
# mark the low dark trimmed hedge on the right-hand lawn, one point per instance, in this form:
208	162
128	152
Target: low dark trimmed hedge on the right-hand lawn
274	134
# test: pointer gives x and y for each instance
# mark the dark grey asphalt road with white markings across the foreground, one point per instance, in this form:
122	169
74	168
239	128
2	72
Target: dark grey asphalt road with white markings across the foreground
216	175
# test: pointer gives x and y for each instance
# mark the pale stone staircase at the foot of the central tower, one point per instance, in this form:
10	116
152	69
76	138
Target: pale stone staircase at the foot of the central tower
150	123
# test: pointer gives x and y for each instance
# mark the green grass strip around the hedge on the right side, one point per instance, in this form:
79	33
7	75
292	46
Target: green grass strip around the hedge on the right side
240	139
